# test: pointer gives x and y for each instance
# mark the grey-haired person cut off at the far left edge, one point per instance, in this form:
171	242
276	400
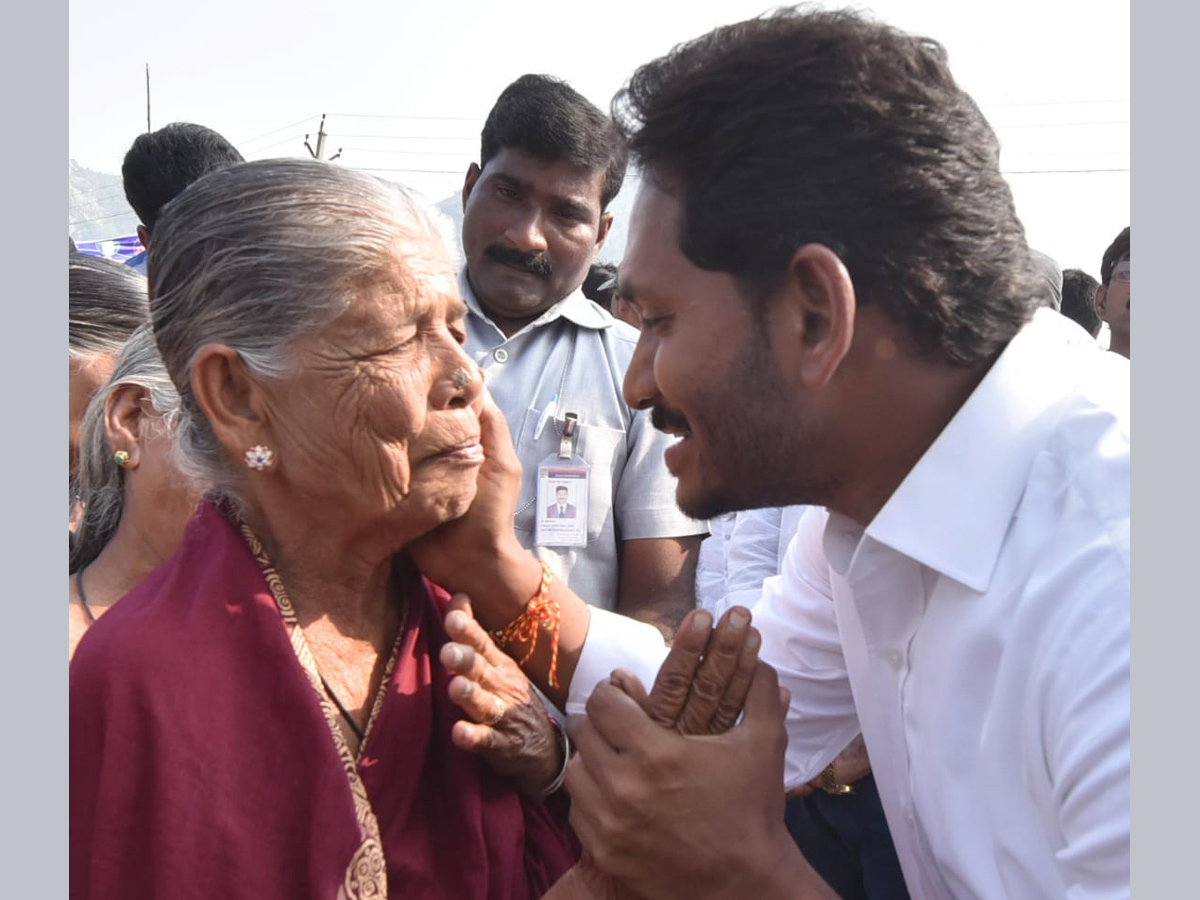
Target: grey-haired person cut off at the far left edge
107	302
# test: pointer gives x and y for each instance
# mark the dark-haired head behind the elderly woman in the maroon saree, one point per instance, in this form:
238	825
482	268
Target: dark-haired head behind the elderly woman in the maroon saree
161	164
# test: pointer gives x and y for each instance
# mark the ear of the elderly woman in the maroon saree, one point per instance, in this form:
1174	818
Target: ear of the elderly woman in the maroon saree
230	398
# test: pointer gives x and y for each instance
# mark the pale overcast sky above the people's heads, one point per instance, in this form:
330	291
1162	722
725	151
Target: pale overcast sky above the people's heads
406	86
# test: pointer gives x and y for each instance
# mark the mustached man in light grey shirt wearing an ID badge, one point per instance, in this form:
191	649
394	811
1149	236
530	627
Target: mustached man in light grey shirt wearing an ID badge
535	219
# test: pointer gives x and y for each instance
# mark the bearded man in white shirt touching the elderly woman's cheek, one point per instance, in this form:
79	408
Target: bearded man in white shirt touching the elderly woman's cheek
839	309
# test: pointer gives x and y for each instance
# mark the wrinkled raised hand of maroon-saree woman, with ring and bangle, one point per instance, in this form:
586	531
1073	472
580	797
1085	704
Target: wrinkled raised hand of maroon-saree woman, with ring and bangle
507	722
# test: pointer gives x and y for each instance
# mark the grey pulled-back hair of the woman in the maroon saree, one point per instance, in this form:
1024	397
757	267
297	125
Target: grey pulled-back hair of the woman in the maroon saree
259	255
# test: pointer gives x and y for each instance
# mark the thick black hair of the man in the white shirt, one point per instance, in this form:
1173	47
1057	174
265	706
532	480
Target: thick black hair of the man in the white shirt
812	127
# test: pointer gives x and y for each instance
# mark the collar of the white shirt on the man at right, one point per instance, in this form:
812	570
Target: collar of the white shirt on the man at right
955	508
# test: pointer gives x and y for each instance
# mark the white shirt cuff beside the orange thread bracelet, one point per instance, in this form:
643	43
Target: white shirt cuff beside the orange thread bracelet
615	641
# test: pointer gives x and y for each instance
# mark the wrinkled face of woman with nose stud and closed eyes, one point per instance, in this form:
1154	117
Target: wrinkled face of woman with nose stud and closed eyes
381	425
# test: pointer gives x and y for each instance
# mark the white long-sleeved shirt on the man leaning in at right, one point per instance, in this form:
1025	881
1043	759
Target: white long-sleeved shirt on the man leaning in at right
981	635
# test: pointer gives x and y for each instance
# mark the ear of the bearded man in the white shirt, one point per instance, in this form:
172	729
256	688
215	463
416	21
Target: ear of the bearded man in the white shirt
819	298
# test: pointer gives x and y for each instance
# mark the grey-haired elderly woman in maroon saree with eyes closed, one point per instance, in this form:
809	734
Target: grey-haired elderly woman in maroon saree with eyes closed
267	715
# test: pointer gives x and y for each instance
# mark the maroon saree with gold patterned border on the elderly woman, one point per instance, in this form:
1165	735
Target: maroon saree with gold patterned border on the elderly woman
205	763
